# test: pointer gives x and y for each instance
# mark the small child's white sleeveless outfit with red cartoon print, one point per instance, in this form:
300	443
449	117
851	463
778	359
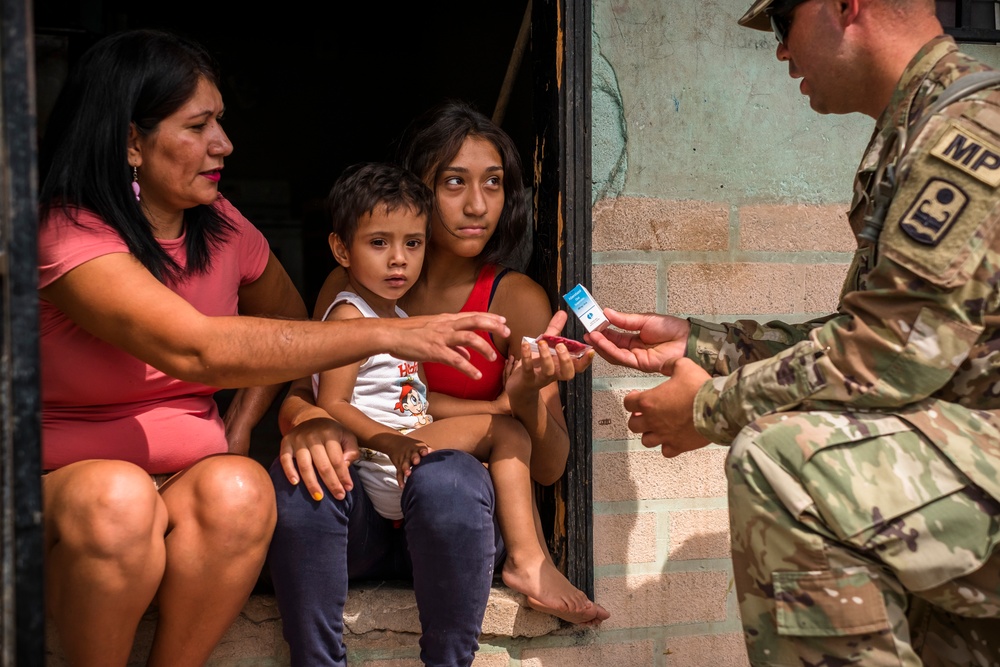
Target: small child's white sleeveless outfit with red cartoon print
388	390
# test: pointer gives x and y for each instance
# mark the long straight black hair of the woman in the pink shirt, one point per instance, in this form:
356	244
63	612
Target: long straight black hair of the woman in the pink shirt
135	77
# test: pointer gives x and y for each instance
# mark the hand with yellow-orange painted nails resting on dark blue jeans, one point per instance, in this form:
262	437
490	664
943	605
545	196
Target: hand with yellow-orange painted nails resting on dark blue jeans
319	445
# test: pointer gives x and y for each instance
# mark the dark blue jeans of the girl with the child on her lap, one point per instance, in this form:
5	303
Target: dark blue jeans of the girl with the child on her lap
449	544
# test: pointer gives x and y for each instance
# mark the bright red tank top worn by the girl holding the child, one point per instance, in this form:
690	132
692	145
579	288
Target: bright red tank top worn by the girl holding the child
447	380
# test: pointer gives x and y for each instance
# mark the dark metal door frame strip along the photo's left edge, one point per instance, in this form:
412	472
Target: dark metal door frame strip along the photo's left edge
22	641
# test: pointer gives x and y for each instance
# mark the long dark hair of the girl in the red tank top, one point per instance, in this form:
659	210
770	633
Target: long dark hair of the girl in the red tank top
436	136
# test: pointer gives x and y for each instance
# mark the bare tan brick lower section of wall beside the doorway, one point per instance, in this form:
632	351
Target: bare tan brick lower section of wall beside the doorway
661	532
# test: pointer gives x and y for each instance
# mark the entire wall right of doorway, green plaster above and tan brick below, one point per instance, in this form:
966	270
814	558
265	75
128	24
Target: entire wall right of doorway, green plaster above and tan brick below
719	194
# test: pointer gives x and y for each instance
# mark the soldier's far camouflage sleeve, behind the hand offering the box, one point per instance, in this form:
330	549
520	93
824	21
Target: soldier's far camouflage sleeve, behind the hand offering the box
722	348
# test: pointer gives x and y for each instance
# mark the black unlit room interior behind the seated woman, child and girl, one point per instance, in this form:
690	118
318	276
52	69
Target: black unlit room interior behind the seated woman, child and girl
312	87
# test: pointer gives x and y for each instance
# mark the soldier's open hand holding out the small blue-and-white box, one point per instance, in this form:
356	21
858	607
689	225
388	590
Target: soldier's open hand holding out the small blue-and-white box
657	342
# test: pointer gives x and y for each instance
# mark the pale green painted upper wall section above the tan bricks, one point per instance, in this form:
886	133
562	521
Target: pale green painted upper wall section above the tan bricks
689	105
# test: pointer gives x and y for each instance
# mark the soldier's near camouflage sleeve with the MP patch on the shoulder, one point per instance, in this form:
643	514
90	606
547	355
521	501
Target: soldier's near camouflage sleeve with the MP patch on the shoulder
905	327
